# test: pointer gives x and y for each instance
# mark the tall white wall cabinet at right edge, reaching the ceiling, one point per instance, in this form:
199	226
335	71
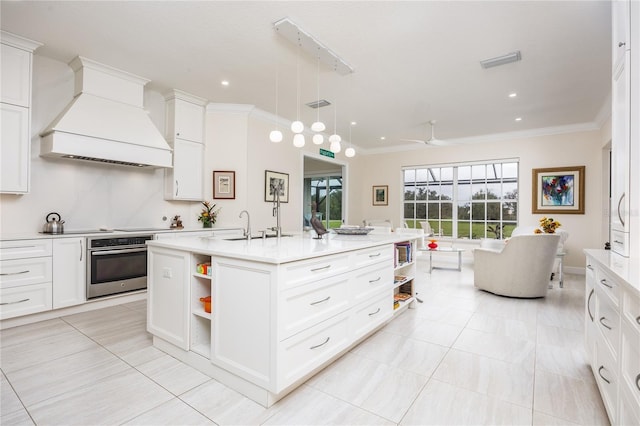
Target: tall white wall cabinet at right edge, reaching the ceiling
625	127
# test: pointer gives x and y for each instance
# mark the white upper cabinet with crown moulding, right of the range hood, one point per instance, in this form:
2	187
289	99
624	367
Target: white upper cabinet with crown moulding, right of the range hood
185	133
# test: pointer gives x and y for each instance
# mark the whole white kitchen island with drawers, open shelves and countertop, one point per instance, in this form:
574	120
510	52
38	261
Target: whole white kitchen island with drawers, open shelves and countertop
282	308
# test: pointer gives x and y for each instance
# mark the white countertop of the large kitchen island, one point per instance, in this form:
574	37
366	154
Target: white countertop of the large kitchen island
282	250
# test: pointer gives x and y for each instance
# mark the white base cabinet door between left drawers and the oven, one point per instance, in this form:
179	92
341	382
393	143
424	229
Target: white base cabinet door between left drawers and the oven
69	272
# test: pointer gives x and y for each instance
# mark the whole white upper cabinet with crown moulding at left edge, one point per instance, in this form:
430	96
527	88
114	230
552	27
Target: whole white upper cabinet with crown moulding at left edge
15	97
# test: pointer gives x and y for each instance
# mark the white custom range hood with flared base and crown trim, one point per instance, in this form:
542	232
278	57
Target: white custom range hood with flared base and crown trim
106	122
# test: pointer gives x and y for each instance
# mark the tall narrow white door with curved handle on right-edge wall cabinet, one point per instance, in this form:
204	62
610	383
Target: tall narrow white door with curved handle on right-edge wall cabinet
620	148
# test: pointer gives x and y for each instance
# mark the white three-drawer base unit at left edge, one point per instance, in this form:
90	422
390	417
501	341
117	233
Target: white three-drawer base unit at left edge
25	277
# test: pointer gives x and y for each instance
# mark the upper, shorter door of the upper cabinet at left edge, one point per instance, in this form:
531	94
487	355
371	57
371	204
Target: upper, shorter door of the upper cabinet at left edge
16	76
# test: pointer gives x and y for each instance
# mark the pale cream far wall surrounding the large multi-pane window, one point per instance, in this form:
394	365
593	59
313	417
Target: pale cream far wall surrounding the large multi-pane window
573	149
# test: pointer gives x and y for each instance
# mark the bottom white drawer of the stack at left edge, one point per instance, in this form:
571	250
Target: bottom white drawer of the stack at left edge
17	301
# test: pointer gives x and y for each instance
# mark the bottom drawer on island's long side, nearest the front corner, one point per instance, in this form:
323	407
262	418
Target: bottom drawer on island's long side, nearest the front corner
310	349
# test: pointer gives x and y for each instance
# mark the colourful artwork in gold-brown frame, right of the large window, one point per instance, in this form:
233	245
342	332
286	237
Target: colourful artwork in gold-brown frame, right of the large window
558	190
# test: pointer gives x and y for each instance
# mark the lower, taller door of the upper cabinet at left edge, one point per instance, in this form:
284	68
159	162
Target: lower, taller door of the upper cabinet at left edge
15	149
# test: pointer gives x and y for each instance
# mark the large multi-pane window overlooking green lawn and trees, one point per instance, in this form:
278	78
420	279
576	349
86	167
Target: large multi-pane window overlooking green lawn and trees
465	200
